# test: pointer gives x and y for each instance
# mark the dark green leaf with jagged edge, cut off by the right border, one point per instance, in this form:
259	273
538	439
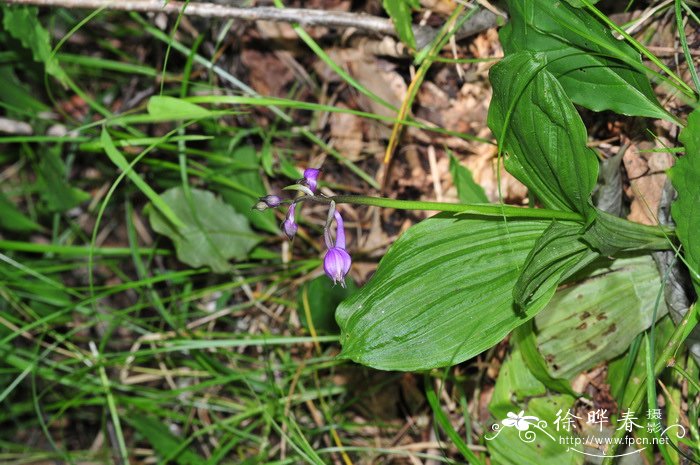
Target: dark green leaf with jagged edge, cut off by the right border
686	208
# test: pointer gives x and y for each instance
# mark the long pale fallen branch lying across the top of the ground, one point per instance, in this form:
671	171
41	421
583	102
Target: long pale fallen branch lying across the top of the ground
481	21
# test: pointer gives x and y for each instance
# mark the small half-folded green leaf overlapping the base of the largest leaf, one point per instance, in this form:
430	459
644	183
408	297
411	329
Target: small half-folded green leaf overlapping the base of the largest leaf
558	253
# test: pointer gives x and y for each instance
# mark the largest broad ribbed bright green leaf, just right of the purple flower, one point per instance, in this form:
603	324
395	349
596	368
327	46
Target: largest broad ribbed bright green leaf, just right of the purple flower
442	294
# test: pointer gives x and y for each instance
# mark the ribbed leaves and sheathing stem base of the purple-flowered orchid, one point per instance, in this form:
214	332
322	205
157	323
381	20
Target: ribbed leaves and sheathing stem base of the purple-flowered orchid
423	294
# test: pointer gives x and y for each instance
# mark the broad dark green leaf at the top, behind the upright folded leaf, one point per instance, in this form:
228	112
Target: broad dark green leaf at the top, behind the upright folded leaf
596	70
